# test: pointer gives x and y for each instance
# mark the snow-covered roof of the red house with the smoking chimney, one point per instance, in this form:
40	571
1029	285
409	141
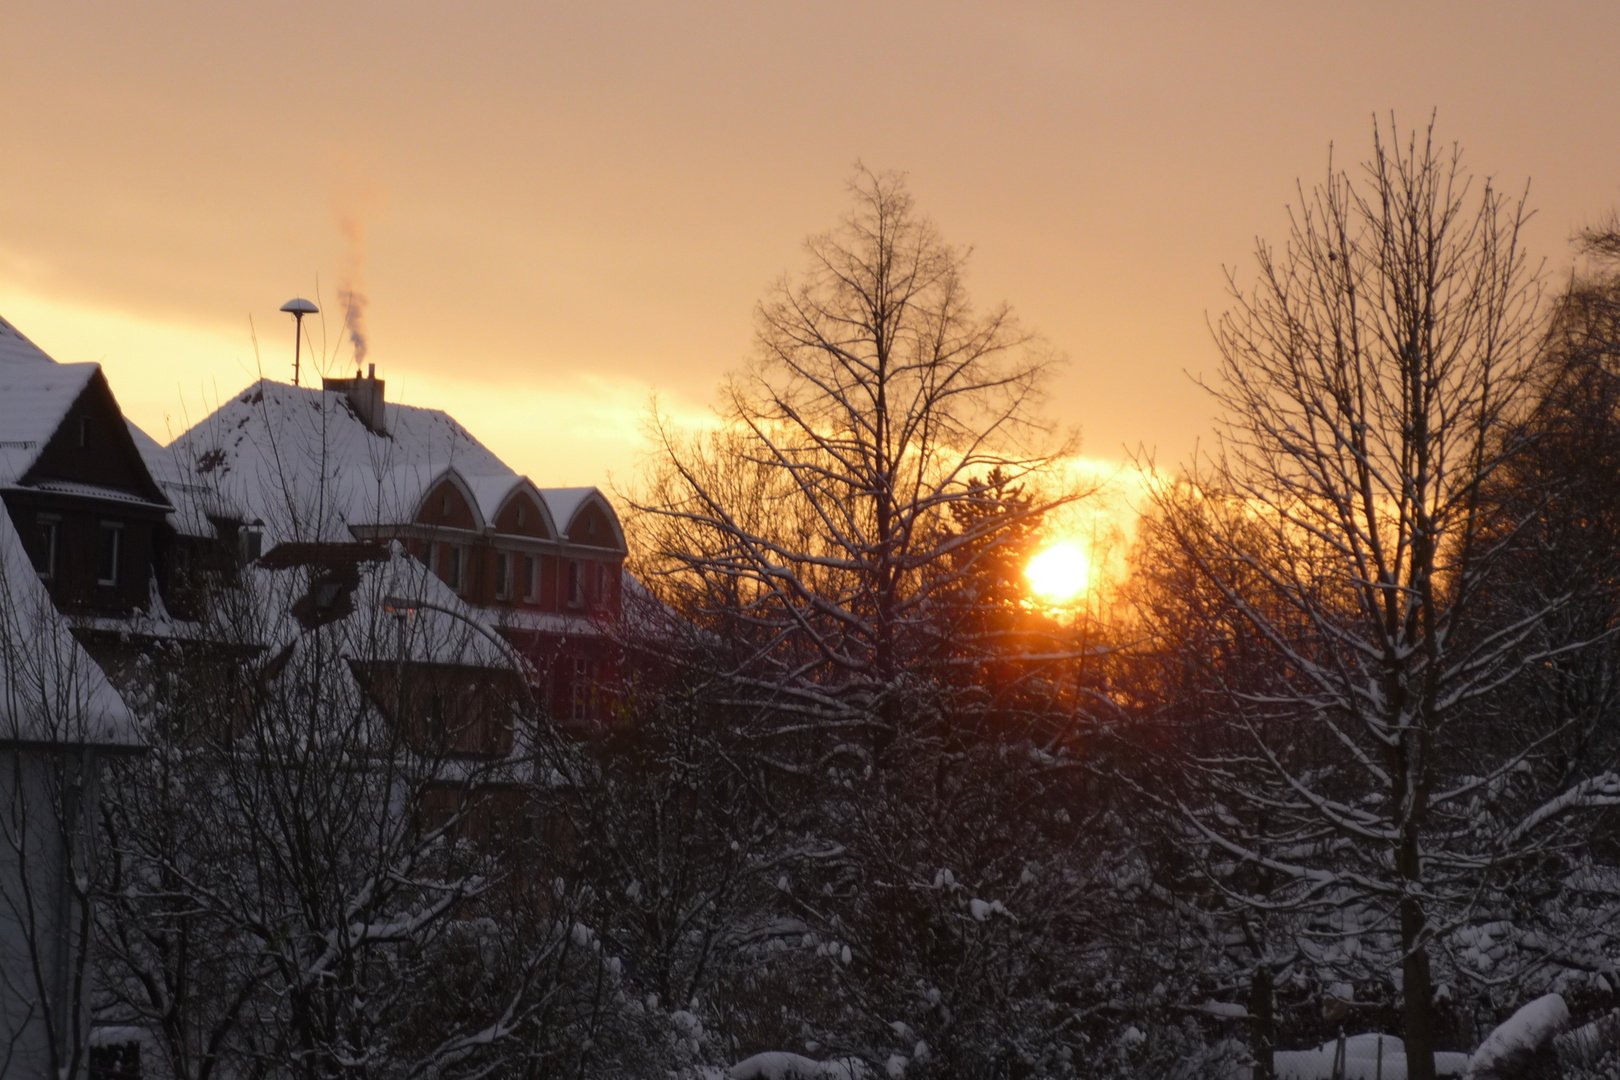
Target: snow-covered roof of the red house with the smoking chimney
305	464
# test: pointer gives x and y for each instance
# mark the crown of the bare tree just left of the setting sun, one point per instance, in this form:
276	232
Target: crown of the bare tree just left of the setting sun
814	521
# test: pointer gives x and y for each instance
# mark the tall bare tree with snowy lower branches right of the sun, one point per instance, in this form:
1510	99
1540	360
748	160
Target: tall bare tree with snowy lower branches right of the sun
1373	381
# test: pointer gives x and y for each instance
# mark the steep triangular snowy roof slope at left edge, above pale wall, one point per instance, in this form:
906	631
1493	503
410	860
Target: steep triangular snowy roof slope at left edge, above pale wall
51	692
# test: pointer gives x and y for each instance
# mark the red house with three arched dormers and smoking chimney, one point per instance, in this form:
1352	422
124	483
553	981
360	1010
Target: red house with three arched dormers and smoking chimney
343	466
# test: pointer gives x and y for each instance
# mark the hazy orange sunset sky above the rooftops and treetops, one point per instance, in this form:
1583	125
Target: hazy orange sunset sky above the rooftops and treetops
568	208
